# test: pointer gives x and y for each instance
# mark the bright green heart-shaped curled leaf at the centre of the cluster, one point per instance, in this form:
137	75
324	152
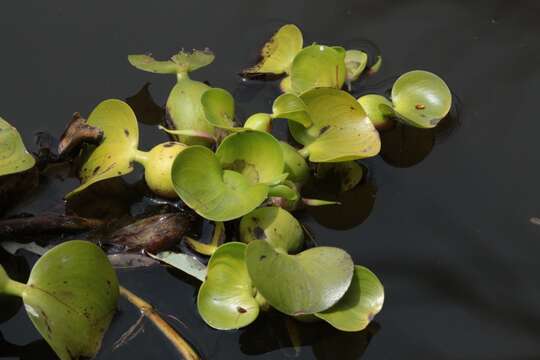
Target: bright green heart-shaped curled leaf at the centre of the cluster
233	181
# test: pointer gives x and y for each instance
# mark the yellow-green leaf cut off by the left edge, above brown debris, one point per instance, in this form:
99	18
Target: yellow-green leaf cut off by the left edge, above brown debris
14	157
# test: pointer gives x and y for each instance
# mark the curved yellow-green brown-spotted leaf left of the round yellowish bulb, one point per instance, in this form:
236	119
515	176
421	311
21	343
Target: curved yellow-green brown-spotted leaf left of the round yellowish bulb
114	156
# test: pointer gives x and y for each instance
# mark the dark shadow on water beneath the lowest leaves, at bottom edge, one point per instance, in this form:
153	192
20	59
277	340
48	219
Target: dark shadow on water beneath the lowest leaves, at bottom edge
274	331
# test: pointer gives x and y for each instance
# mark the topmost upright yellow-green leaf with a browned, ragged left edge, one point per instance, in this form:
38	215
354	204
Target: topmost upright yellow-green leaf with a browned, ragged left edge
278	53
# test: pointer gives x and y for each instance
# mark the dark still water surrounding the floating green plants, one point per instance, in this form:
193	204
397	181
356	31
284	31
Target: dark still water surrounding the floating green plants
449	231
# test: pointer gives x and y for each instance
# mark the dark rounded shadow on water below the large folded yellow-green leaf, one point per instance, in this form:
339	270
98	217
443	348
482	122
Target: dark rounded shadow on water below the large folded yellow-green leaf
355	204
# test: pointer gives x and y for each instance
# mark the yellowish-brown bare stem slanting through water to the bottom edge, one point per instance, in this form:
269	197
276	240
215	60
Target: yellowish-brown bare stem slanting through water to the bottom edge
179	343
